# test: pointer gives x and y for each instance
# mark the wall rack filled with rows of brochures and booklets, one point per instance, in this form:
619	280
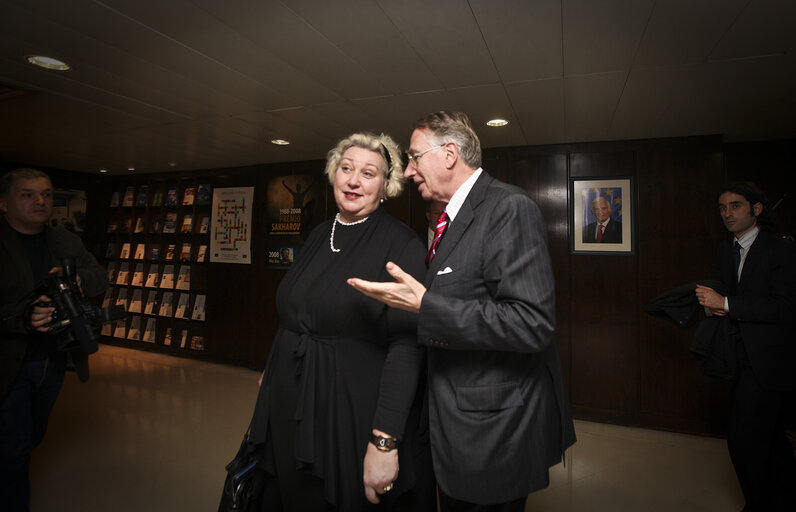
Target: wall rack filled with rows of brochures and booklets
156	251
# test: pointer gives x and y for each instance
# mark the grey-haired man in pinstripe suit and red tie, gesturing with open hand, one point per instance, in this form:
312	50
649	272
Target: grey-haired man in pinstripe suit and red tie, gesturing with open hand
499	415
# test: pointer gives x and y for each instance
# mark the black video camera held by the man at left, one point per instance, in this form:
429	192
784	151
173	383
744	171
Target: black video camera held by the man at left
74	316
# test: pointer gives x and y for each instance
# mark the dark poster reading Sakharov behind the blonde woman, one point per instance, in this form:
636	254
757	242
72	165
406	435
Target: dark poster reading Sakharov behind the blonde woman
294	207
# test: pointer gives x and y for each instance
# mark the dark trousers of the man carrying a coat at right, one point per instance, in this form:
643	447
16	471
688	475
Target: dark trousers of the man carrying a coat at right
761	454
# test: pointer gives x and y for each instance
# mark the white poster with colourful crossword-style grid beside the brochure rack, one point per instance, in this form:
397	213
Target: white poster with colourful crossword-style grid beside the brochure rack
230	239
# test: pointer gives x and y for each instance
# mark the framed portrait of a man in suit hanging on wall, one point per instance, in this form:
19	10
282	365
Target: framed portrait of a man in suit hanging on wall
602	216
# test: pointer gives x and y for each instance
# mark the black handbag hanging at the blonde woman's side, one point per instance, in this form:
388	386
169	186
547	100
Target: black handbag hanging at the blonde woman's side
243	486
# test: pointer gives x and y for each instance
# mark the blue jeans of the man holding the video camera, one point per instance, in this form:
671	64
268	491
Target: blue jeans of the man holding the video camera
23	420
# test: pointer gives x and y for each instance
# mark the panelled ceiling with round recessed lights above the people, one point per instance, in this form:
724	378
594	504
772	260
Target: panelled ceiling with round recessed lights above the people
208	84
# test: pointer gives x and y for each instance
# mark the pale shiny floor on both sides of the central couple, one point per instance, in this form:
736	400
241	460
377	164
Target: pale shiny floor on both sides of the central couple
153	433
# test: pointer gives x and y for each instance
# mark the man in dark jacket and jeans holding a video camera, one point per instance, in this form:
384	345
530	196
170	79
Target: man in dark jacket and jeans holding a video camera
31	366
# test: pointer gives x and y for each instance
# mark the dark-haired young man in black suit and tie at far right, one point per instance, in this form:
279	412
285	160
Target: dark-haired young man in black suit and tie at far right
759	270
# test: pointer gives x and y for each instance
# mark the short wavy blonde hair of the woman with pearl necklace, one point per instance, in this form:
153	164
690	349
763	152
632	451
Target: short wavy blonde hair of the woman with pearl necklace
381	144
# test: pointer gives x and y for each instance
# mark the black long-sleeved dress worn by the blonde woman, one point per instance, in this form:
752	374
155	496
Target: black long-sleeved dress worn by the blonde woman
343	364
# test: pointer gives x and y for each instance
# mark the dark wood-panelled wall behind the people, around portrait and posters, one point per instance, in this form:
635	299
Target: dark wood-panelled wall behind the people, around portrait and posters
621	365
